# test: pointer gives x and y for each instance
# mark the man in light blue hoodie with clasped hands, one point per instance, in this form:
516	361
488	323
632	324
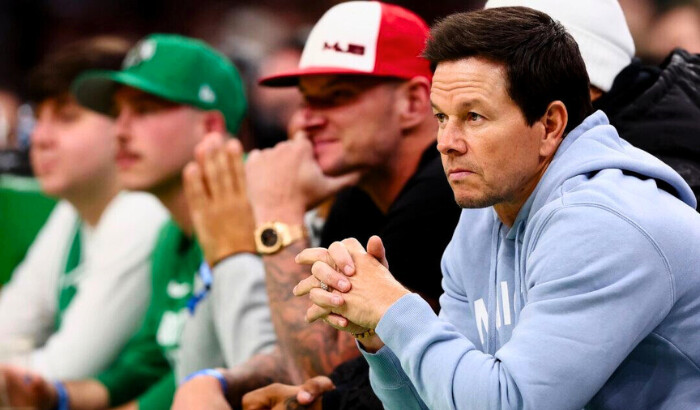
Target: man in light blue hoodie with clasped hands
573	277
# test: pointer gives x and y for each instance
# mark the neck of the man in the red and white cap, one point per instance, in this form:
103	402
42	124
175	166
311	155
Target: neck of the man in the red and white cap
384	185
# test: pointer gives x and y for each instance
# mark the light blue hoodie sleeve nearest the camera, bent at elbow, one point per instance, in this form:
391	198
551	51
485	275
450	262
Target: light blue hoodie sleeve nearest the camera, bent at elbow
594	290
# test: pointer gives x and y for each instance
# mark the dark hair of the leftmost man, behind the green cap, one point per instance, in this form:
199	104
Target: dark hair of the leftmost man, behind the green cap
52	78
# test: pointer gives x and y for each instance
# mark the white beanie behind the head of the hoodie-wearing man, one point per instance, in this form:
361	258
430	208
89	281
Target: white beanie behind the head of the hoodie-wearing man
599	28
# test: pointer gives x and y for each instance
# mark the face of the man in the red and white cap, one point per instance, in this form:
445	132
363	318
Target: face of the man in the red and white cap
351	121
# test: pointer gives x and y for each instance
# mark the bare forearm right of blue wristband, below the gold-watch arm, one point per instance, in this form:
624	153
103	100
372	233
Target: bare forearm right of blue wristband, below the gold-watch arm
259	371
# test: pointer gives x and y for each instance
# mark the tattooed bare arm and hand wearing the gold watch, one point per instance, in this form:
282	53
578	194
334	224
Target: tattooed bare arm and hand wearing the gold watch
283	182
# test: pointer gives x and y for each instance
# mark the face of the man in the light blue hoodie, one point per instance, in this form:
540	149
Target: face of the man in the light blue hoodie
490	154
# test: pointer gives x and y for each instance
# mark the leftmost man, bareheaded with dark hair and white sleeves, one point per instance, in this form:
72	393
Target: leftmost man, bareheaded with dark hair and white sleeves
84	286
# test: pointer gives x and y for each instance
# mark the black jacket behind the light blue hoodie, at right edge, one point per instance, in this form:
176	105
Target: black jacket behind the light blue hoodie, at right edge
658	110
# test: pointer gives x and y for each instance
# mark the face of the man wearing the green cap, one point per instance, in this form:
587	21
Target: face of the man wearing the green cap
156	139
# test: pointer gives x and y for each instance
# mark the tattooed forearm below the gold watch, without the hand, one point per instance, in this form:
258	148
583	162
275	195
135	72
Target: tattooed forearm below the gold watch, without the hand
308	349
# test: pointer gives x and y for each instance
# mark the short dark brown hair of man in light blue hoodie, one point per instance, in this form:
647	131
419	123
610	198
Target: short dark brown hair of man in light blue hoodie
542	61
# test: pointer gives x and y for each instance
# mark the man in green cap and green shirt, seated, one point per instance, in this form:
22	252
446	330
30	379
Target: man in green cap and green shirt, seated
171	93
